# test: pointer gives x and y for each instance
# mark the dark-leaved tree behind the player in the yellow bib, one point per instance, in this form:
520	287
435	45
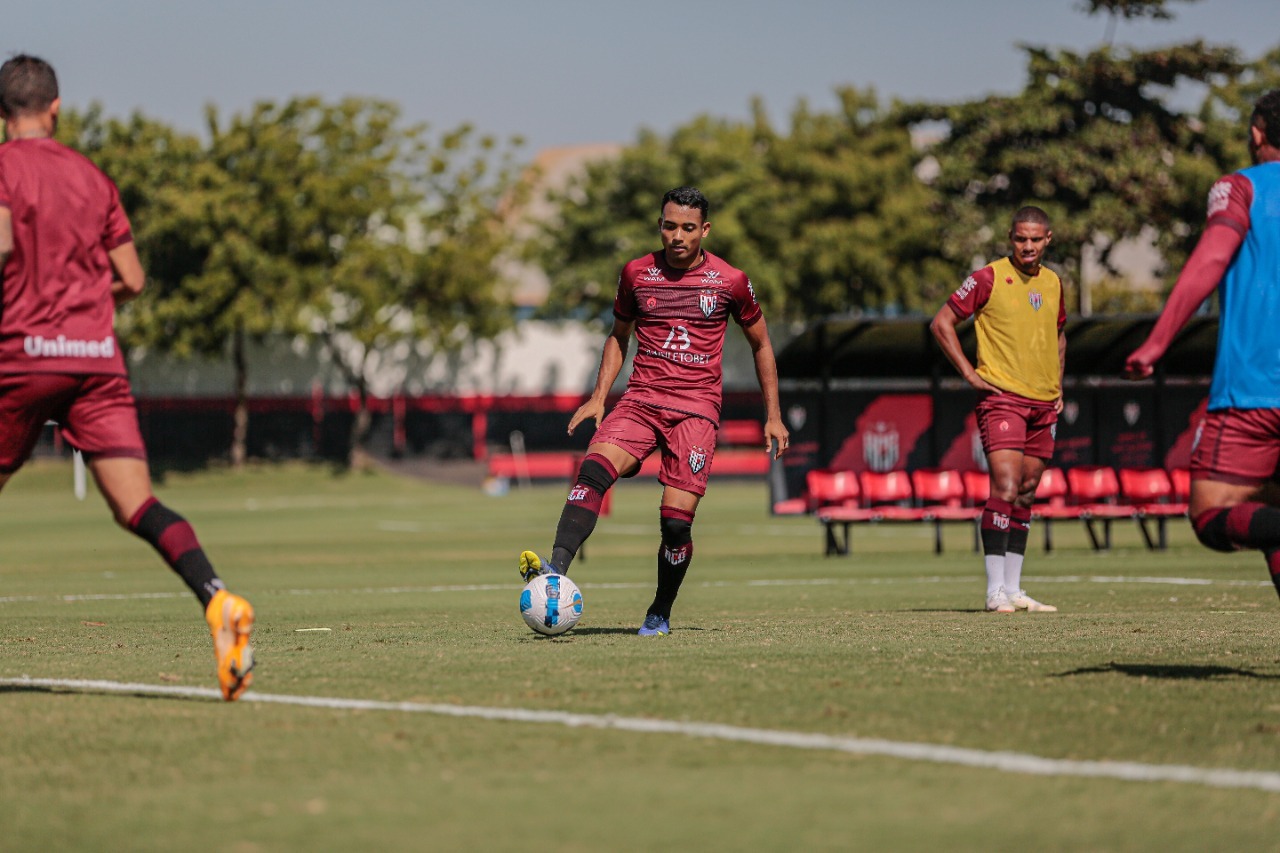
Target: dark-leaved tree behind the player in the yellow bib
1092	142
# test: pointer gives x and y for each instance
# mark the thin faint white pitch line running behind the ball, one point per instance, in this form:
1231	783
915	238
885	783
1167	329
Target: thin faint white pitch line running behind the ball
799	582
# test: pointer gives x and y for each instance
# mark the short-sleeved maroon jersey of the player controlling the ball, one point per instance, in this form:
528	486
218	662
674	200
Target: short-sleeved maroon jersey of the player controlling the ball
680	318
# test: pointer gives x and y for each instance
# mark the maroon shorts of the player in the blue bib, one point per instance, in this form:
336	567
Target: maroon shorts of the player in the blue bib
1240	446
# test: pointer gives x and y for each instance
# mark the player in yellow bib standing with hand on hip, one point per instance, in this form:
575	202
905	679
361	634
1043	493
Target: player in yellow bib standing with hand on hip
1020	313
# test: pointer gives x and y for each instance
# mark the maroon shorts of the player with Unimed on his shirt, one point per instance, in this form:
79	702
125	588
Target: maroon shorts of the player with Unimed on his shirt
97	414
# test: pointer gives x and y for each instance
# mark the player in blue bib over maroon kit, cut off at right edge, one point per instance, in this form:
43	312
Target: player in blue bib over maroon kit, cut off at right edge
1237	457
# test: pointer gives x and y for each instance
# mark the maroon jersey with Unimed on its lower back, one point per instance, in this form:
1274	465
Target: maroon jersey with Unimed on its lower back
57	313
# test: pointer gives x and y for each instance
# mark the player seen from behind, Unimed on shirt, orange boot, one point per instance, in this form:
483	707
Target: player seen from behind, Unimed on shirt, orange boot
67	258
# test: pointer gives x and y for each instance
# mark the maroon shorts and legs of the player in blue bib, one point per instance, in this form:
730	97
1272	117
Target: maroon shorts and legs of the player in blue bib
1233	495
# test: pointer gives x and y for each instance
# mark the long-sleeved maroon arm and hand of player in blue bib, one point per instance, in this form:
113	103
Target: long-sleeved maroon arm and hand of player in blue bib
1201	275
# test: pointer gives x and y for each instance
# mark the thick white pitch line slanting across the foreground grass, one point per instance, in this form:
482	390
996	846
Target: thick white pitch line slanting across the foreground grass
1014	763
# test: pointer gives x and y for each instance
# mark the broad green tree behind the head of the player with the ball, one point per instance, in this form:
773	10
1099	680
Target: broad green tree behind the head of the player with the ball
826	218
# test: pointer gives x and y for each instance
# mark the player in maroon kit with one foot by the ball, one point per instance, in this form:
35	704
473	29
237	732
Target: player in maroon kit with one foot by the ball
678	303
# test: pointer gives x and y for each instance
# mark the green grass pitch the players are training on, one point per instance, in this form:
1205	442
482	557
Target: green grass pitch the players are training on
1156	659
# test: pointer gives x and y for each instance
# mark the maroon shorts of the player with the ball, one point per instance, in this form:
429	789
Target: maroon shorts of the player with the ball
688	443
